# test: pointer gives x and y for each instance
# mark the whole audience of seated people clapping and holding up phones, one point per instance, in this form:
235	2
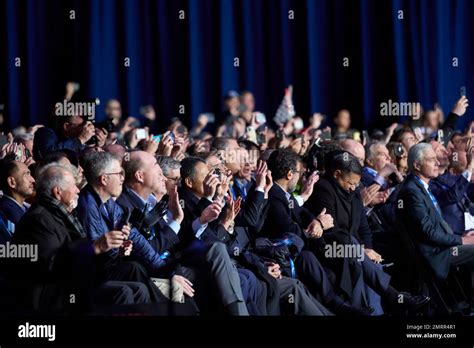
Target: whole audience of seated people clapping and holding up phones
256	218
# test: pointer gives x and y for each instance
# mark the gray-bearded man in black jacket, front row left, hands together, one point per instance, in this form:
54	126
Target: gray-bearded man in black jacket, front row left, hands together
66	262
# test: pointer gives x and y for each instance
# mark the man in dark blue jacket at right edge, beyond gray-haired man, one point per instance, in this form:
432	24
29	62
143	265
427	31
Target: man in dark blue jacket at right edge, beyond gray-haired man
452	191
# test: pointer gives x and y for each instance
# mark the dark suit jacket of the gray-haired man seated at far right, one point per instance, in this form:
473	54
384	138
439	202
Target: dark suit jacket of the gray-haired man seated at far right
429	231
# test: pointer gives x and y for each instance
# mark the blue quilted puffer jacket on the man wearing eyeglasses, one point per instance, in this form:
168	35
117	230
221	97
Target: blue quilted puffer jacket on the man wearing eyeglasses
98	218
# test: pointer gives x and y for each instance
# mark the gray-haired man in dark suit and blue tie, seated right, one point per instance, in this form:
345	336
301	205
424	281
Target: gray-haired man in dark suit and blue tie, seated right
419	212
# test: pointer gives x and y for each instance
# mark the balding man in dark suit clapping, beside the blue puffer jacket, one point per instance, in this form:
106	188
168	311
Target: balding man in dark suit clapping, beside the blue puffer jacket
145	186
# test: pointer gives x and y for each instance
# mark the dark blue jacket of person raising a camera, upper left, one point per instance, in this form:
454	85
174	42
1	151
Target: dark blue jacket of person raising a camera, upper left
46	140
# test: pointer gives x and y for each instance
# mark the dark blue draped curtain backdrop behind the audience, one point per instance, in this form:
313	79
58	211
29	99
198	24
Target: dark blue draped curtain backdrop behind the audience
190	61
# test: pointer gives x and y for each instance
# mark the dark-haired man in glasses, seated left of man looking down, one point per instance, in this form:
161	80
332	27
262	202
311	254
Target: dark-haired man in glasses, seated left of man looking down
286	214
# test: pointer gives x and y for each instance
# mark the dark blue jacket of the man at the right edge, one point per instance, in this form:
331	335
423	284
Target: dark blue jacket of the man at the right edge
451	192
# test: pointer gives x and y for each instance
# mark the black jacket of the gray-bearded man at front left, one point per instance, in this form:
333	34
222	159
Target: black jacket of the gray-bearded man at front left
65	258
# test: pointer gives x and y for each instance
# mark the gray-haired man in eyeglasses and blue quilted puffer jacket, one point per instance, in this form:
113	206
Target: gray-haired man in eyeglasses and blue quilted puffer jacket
99	213
